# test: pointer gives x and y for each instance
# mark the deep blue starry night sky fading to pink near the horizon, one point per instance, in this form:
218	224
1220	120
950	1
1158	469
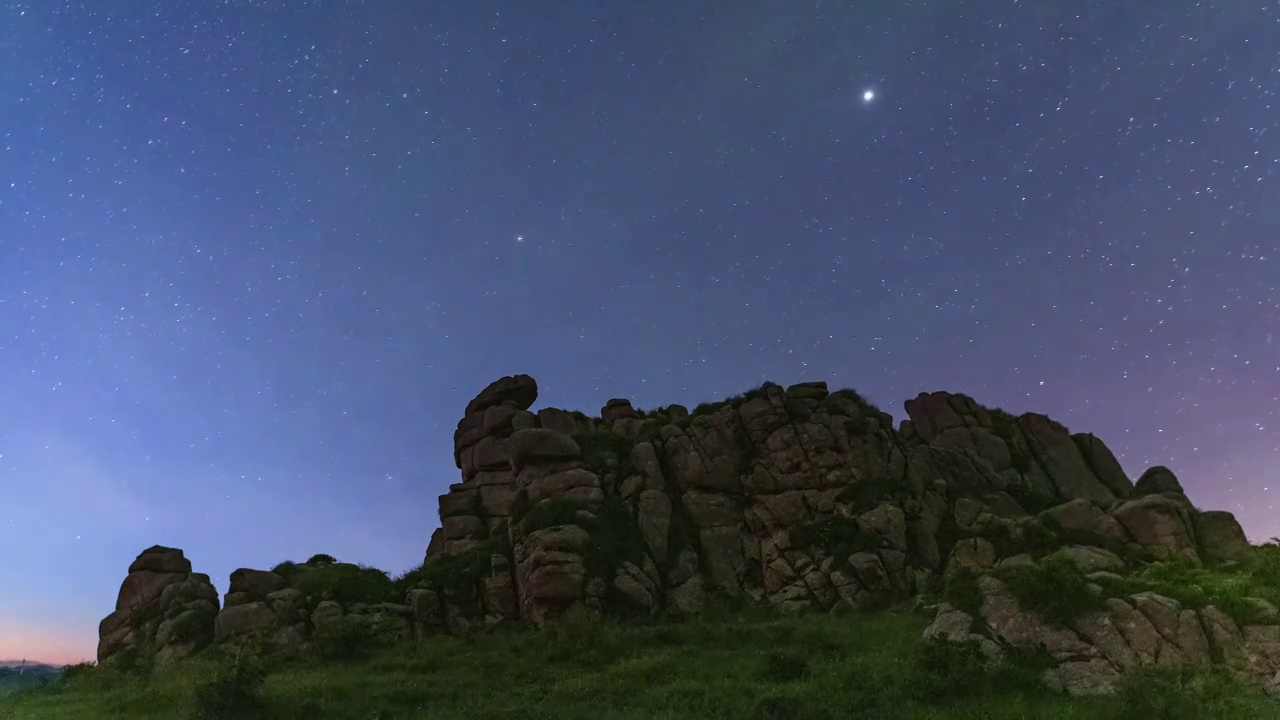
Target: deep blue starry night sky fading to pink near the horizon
257	257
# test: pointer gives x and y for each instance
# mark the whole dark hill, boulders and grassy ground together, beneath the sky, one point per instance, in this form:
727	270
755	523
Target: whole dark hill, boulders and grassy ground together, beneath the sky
993	553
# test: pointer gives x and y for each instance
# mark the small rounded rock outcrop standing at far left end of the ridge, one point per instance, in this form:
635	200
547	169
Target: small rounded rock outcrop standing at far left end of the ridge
163	612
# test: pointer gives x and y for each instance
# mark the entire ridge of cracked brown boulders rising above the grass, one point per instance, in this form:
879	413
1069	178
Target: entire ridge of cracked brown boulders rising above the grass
1021	537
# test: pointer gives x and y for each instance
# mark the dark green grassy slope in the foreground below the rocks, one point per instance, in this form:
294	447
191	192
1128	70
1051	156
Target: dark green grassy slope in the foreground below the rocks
813	668
